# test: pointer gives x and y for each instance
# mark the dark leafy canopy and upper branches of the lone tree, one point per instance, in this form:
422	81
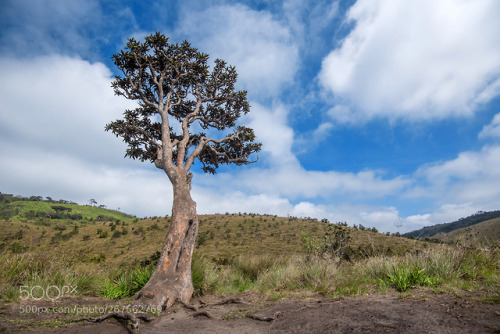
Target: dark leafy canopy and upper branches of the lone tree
180	102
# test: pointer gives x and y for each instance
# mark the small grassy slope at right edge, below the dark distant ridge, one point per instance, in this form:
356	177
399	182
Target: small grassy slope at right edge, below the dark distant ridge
485	233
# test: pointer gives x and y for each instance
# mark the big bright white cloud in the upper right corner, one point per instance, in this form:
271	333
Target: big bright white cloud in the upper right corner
417	60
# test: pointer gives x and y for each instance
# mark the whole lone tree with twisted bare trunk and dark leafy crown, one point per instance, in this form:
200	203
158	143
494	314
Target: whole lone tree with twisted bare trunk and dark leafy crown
179	98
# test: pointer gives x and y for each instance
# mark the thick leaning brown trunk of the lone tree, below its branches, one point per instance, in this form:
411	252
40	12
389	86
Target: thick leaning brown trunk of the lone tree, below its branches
171	280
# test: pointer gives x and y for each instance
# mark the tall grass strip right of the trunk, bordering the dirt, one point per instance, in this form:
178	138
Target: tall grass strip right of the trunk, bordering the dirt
268	274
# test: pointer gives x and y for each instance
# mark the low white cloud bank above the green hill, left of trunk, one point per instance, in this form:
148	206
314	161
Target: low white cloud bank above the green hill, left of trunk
35	171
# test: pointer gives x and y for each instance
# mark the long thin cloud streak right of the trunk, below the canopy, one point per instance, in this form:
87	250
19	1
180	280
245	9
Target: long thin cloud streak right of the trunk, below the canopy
296	183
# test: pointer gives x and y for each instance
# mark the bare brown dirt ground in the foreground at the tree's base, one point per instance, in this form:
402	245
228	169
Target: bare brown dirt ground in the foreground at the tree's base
421	311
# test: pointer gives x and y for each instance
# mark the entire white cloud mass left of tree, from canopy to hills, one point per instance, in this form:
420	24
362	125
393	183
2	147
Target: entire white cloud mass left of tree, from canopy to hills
52	138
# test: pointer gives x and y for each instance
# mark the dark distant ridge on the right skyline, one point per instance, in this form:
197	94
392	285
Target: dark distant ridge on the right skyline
431	231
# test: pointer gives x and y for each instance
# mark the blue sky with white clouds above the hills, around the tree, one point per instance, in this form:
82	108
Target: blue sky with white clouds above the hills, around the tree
382	113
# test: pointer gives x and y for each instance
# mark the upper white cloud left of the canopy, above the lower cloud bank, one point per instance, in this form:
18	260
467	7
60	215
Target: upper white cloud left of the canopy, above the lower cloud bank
60	104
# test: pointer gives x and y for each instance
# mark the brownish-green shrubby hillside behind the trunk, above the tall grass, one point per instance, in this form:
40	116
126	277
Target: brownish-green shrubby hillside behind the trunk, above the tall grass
220	237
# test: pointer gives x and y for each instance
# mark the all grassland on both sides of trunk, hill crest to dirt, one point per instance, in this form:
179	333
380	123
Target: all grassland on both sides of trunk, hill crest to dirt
234	253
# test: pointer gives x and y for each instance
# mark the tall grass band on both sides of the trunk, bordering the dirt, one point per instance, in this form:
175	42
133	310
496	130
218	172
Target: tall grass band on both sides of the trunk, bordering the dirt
454	268
